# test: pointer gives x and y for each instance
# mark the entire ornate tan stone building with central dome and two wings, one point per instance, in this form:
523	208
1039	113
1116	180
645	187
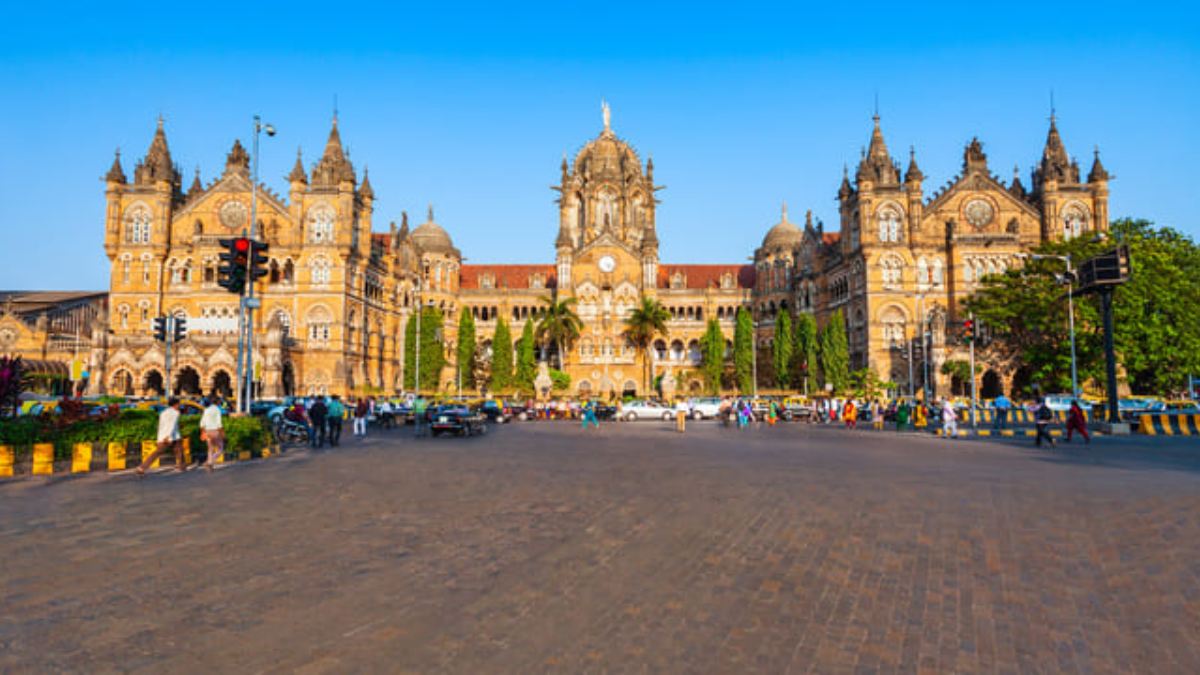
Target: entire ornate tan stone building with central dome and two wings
339	295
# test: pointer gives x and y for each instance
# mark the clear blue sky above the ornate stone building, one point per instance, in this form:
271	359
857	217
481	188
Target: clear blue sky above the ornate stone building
471	107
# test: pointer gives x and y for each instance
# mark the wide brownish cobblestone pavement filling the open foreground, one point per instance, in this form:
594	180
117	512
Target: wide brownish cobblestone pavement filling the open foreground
542	548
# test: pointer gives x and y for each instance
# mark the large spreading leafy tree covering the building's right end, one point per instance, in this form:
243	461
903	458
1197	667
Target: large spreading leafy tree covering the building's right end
1156	334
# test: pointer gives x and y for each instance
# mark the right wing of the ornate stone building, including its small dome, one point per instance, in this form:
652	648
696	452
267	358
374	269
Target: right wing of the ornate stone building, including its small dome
902	264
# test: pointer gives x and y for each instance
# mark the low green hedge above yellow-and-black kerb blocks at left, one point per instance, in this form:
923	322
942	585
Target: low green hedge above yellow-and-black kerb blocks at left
133	426
